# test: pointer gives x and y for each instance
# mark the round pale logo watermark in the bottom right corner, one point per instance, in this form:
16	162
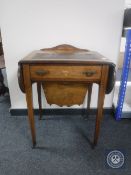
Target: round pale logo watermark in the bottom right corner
115	159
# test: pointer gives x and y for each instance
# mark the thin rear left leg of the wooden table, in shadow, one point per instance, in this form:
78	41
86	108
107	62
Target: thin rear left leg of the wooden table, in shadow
39	99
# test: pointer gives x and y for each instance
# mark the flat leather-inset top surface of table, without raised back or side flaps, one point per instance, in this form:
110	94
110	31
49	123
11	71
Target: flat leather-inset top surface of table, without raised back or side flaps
45	56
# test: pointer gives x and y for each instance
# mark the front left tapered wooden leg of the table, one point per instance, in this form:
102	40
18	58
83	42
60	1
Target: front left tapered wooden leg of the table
29	99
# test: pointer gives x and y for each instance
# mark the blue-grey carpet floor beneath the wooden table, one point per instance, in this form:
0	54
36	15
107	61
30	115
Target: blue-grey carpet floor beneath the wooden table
63	145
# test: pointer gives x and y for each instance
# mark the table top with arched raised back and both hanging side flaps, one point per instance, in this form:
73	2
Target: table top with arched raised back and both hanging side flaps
67	55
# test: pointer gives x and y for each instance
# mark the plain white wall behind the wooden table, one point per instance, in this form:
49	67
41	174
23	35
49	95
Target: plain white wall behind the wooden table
28	25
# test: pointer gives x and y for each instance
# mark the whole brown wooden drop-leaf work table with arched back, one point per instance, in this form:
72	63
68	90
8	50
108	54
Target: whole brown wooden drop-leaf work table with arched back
65	73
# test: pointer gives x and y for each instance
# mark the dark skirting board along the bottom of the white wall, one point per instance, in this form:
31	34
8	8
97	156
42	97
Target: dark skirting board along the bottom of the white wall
63	111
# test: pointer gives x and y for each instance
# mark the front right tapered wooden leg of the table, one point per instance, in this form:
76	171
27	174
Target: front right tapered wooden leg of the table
101	96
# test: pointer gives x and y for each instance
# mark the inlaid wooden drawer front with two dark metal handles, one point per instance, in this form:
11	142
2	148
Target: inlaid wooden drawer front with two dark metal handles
52	72
